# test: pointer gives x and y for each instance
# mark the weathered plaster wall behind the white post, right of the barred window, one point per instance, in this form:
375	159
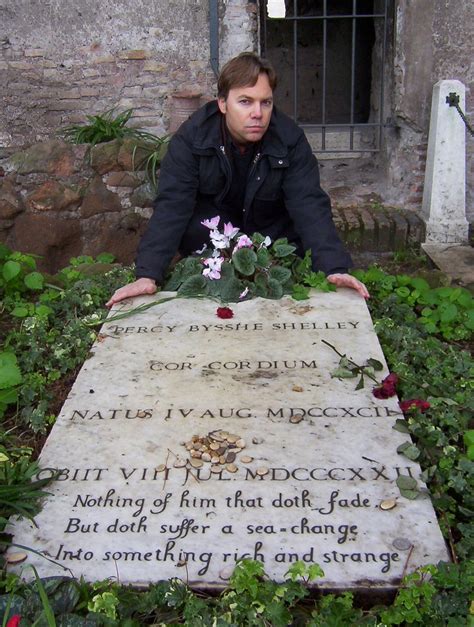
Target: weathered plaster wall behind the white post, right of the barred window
432	41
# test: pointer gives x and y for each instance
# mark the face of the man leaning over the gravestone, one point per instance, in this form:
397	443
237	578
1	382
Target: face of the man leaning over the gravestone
248	110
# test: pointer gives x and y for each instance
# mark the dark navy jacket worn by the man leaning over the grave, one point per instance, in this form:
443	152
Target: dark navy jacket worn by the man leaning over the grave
283	196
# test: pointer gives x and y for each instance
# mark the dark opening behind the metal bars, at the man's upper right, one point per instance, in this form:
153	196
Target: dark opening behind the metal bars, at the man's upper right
329	76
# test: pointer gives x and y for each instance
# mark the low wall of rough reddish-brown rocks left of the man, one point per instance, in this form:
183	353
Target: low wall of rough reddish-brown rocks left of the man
58	200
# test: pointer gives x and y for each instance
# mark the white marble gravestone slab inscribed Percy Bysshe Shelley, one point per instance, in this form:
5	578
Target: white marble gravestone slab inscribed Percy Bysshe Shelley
318	458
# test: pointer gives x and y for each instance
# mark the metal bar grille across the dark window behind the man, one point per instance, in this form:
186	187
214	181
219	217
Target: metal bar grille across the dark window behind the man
318	19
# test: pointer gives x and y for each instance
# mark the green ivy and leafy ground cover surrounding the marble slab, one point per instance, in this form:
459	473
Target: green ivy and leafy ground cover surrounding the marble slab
46	338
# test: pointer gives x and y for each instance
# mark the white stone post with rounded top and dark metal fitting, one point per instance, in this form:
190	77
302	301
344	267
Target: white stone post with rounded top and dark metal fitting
444	195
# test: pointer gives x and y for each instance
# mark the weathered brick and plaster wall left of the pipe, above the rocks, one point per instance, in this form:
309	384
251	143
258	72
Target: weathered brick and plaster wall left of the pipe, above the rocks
62	59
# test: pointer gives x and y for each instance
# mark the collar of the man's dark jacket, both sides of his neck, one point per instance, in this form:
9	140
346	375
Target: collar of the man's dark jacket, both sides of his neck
209	132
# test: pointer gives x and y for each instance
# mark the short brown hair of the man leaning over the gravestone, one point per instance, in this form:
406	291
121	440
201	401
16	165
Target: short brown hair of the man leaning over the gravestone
243	71
